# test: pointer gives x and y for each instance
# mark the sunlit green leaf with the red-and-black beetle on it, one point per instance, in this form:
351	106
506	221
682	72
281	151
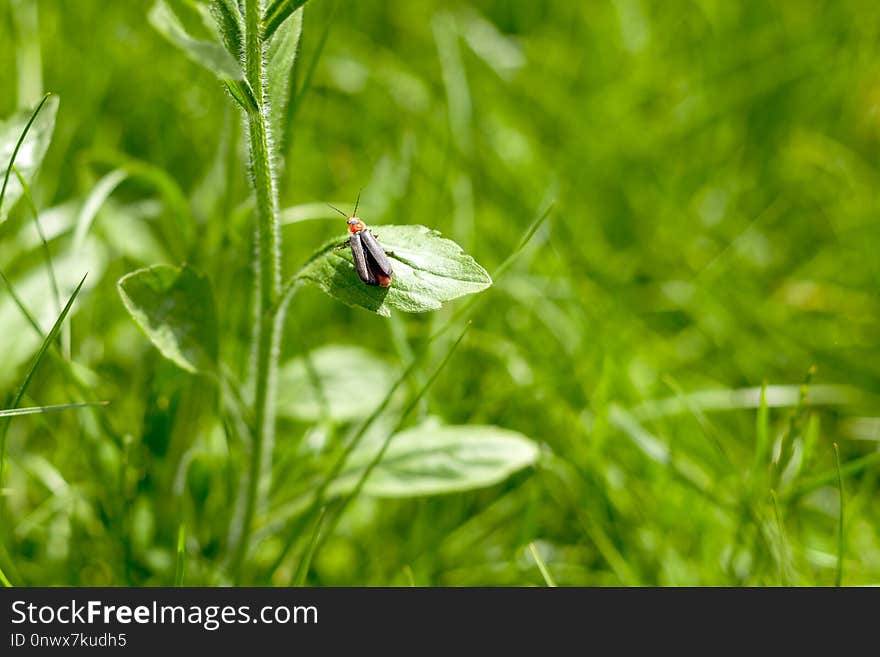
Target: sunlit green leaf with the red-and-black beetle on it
428	271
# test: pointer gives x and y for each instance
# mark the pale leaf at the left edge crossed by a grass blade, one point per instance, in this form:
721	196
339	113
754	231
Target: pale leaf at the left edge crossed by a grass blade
30	153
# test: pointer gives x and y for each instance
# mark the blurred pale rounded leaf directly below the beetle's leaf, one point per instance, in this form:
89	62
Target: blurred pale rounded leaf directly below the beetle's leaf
338	382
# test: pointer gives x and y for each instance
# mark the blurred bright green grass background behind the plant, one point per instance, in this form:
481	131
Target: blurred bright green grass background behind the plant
714	167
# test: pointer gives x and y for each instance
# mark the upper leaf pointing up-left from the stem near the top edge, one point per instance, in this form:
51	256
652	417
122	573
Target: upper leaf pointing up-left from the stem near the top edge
208	53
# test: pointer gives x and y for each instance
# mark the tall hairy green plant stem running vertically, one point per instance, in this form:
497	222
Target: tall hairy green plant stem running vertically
268	318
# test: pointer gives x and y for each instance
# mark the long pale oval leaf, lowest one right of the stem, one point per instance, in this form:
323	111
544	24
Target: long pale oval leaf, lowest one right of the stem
433	459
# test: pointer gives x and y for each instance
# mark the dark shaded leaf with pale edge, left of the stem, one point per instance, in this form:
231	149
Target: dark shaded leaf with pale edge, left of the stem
175	309
